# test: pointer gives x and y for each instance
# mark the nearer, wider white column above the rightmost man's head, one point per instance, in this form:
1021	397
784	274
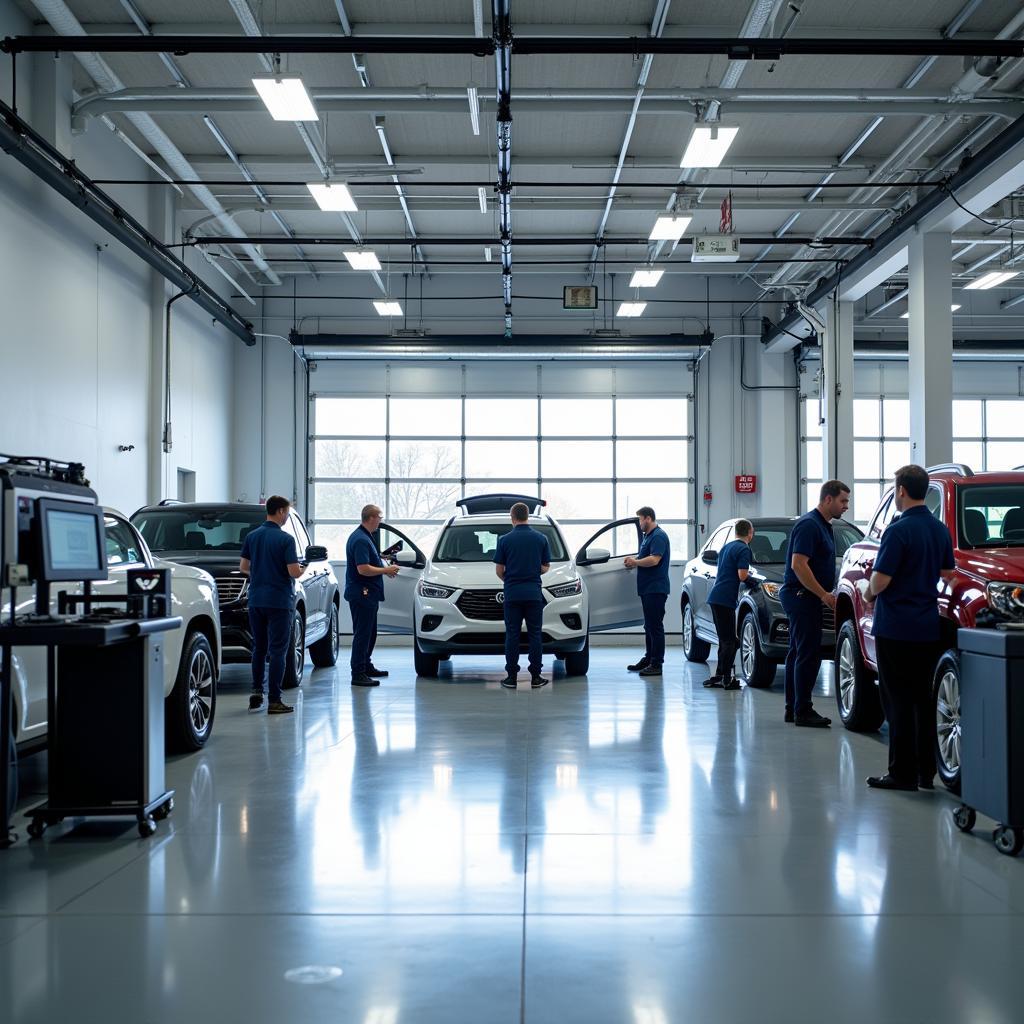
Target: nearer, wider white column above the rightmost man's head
931	350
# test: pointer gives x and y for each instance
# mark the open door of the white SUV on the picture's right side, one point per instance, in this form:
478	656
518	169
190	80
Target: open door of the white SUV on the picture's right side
612	589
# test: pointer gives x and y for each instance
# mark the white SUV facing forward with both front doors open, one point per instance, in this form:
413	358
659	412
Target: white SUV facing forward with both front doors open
452	603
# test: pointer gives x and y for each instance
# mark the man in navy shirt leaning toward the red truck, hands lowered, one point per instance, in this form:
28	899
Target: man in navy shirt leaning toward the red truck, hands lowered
807	590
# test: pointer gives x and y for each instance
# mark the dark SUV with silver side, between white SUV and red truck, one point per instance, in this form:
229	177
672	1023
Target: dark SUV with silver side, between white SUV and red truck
763	625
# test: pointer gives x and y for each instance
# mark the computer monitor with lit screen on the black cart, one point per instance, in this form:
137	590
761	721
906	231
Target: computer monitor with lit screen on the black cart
72	541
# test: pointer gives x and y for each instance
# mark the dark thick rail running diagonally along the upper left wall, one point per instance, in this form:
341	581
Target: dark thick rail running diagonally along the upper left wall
20	141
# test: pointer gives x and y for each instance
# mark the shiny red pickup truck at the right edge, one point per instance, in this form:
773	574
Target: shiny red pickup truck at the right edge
986	516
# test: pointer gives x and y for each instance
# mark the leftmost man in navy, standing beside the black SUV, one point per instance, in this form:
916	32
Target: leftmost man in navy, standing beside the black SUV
271	562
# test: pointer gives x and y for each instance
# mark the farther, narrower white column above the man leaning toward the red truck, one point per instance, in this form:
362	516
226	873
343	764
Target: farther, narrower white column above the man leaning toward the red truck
837	393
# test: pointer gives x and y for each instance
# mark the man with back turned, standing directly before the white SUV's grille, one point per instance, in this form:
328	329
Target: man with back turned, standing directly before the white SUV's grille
522	558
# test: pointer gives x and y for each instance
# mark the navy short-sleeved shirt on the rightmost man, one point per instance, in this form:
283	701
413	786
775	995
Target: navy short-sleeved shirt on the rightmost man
915	549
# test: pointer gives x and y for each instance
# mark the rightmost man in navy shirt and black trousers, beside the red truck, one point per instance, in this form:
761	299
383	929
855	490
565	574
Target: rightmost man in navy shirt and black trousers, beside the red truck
916	552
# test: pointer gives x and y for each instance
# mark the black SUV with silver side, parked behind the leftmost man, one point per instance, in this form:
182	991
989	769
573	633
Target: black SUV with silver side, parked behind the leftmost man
209	536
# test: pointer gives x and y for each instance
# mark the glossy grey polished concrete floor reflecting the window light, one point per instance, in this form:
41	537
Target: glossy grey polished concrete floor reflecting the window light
607	849
